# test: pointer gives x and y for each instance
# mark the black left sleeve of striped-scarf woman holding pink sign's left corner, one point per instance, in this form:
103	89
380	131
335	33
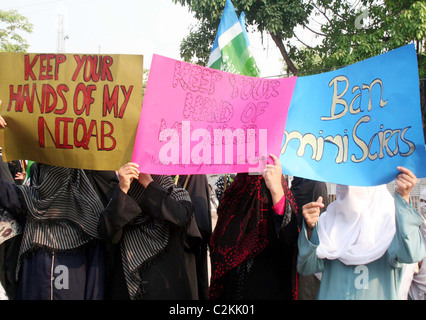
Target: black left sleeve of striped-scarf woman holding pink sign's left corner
120	210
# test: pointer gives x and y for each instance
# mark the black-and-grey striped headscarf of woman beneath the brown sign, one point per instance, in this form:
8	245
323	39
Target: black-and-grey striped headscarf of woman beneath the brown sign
63	208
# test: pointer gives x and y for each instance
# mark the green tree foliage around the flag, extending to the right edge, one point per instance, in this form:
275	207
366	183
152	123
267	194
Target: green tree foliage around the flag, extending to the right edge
350	30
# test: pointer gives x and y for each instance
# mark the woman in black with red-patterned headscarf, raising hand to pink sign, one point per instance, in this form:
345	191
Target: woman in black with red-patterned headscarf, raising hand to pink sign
253	246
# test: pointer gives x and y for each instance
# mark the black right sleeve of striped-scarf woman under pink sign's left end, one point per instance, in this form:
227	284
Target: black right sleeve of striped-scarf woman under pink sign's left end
158	203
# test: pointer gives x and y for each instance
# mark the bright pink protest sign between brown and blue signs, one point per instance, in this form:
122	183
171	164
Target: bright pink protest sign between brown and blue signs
197	120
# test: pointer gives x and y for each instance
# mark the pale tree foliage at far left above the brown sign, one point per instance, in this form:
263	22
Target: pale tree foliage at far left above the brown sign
11	26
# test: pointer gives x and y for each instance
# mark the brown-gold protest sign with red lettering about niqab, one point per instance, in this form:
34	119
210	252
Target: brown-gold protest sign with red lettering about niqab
70	110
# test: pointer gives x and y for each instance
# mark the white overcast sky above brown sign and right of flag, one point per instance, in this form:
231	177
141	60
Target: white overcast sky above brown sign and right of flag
123	27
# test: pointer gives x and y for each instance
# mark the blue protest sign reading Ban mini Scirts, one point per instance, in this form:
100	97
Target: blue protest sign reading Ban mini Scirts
355	125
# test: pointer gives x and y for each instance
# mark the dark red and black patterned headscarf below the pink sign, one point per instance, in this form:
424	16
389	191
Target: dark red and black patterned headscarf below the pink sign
240	231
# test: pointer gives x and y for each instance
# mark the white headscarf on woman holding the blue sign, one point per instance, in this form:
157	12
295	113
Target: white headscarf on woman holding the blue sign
359	226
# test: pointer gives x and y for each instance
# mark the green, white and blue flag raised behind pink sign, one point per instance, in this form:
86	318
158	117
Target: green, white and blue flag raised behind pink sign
230	50
